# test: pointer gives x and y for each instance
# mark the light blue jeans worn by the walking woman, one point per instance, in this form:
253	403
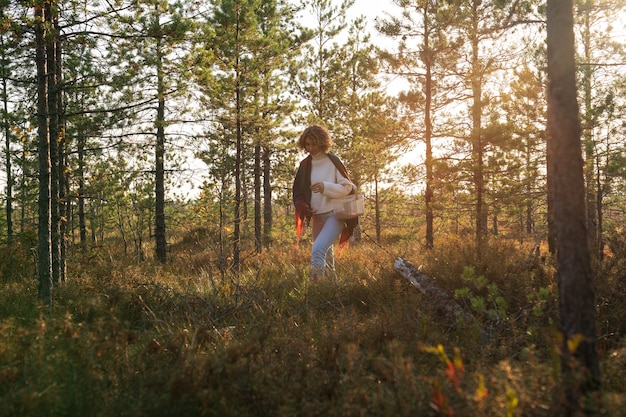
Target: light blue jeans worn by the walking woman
325	229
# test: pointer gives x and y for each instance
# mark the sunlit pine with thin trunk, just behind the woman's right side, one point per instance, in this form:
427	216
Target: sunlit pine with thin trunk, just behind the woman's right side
367	125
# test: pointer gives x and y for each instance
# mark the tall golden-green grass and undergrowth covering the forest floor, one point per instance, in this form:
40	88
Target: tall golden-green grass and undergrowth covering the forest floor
136	339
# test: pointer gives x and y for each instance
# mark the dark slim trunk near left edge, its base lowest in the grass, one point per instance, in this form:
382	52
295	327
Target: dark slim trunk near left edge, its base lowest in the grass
44	247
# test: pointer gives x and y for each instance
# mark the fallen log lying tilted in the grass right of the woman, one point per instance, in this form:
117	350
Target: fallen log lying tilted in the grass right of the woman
441	302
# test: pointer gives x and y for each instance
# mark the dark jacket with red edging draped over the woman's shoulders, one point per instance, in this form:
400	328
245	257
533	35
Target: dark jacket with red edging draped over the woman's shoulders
302	197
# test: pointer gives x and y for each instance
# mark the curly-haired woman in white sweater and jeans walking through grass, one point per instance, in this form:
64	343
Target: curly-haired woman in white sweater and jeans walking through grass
321	177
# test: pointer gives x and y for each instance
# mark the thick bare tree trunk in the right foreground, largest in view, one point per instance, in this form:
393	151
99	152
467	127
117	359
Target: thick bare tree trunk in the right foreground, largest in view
581	371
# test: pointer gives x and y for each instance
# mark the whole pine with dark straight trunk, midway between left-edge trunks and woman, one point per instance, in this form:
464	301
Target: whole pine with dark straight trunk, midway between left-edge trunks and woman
151	44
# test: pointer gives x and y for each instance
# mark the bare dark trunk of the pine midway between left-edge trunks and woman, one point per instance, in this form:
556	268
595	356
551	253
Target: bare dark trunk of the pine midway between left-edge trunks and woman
159	222
